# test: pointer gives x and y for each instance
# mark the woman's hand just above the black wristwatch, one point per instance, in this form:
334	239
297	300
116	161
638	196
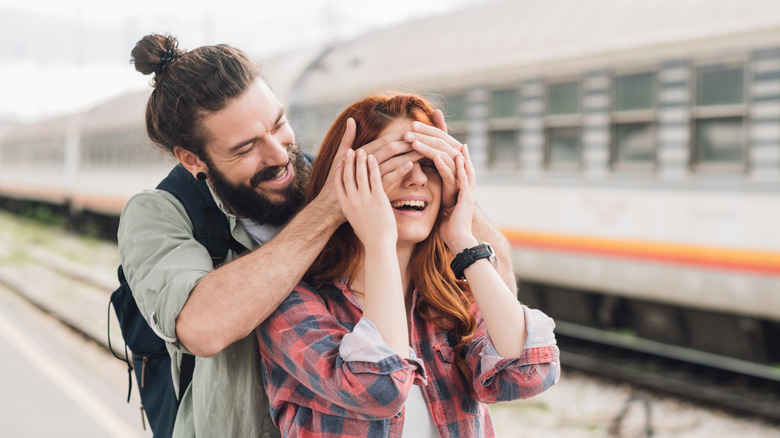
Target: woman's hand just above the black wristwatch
455	225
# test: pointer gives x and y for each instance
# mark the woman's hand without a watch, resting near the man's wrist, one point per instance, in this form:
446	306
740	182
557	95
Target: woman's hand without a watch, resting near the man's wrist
363	199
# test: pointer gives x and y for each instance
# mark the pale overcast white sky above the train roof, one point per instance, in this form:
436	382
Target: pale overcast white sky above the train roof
57	56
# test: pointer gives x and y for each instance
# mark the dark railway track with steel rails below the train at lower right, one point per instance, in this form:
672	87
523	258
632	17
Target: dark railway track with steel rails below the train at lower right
744	388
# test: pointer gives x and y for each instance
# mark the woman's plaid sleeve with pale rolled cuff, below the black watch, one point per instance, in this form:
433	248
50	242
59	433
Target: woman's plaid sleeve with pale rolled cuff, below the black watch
495	378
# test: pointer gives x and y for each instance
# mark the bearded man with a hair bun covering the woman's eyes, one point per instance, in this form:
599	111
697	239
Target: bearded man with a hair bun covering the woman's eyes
212	109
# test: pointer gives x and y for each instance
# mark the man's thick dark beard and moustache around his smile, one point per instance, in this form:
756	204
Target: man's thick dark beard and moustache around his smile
245	202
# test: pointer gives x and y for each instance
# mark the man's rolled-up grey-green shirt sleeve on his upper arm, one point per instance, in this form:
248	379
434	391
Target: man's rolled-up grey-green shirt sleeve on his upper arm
161	259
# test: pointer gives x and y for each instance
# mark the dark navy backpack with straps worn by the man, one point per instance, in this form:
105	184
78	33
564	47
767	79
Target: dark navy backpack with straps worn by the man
151	361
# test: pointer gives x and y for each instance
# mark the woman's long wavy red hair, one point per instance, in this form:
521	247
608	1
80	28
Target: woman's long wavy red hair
441	298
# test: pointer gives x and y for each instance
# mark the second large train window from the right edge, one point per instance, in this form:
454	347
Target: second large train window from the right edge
633	142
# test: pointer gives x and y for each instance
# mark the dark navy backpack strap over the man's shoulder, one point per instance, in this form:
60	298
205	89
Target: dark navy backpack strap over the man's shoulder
211	229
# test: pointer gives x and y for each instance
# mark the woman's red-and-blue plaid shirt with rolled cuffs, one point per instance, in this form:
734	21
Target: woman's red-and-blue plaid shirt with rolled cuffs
328	373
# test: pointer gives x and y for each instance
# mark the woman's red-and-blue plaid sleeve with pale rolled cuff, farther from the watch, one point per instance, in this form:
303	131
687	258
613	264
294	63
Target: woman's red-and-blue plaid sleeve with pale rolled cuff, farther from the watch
312	359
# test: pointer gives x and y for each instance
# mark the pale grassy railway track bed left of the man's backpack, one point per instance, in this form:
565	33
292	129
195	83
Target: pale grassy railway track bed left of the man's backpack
62	274
